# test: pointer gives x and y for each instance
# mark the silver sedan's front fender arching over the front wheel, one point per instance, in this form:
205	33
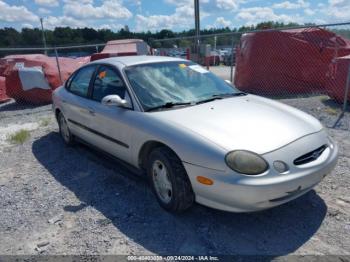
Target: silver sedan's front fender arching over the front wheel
190	147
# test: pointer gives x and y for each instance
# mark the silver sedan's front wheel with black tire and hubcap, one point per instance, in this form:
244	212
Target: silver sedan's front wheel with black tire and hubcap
179	197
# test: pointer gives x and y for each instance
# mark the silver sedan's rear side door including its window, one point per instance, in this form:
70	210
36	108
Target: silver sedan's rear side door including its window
77	105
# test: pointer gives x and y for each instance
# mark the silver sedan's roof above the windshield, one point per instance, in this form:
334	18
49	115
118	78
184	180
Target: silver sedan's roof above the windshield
137	60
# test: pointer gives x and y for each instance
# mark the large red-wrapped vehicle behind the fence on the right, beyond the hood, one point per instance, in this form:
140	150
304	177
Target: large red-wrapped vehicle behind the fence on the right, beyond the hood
287	62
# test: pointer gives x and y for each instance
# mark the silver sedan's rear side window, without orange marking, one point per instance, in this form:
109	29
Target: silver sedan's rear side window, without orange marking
79	84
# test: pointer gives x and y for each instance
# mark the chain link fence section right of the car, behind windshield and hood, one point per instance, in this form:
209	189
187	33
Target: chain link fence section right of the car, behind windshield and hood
278	63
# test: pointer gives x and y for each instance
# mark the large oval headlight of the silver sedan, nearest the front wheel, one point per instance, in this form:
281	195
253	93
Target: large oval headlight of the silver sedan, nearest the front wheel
246	162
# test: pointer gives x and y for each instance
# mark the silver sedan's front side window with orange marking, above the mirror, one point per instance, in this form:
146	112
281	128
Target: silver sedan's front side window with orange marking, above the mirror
107	82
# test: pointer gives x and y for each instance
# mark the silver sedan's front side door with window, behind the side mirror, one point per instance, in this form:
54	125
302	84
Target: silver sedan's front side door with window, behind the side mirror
111	123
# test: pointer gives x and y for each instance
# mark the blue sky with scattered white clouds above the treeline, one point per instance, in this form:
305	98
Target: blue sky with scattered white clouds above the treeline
177	15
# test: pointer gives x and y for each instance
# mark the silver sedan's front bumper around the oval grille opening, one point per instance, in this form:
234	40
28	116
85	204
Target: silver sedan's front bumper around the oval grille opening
240	193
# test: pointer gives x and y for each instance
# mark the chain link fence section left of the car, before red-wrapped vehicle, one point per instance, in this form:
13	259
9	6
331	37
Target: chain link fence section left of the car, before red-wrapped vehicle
29	75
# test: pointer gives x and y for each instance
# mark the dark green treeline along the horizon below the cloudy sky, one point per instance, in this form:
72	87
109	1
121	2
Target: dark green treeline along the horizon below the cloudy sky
10	37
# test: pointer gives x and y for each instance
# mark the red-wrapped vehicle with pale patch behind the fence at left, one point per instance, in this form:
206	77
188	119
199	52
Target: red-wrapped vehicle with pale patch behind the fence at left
32	78
